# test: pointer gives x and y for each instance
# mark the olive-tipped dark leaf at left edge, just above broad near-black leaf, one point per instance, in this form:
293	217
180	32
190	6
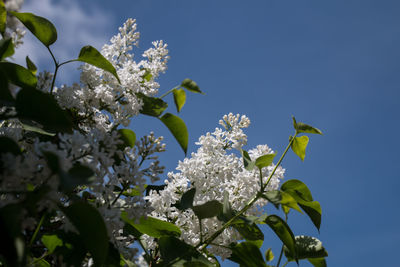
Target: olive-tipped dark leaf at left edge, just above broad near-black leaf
18	75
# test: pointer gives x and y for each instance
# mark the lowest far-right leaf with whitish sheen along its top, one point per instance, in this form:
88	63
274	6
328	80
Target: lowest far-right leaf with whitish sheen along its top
307	247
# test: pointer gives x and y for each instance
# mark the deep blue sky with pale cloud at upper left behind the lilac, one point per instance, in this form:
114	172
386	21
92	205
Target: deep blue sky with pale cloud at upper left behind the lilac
332	64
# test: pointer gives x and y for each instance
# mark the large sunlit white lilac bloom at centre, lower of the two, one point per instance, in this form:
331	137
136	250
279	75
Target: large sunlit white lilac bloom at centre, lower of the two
212	170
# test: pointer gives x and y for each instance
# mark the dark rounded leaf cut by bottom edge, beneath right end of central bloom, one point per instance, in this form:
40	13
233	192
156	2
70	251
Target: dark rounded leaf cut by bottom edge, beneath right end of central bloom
247	254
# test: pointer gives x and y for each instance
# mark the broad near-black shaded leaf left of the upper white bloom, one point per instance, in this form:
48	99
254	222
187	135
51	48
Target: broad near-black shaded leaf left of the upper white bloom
42	108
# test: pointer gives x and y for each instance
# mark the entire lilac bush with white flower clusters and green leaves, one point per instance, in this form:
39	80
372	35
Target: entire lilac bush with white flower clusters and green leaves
76	185
